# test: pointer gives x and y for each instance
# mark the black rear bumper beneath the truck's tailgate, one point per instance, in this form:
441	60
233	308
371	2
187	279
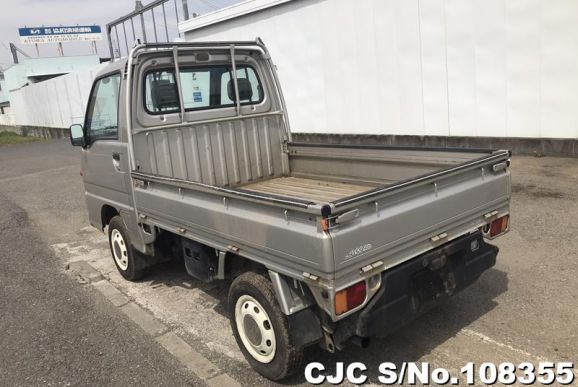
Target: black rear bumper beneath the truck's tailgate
410	289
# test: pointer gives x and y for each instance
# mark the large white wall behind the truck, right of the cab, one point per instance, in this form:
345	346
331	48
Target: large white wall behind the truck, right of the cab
427	67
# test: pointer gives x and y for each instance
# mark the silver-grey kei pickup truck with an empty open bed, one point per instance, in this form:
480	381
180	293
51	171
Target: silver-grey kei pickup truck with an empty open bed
187	154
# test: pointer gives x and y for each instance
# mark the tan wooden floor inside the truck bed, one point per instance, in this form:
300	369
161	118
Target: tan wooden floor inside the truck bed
309	189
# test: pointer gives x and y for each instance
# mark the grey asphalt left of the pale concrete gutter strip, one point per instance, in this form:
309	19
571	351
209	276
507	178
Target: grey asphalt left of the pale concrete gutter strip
54	331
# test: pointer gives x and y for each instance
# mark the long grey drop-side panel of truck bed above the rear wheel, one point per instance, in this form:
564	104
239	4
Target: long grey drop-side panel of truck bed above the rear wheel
288	242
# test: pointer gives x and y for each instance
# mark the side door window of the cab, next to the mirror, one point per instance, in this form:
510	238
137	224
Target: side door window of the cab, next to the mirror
102	116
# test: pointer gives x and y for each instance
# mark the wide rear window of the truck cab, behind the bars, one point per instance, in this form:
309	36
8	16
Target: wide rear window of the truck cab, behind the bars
202	88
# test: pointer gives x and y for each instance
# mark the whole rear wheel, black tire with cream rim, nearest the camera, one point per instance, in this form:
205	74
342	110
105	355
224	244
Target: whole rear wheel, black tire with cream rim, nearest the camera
260	327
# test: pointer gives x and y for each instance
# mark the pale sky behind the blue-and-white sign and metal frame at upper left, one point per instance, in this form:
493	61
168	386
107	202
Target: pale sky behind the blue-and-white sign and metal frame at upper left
37	13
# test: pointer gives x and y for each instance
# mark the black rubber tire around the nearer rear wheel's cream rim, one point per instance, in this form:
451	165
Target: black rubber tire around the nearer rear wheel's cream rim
287	358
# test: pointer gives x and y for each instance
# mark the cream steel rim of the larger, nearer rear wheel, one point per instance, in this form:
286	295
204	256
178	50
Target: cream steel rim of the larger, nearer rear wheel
255	329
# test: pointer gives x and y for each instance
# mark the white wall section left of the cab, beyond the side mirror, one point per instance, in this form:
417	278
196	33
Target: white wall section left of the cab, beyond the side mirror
58	102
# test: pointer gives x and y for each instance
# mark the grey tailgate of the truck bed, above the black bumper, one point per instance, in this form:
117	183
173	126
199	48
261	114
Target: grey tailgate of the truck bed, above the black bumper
404	221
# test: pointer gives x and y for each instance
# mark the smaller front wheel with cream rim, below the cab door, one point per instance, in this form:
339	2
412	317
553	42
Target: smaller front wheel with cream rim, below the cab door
133	264
